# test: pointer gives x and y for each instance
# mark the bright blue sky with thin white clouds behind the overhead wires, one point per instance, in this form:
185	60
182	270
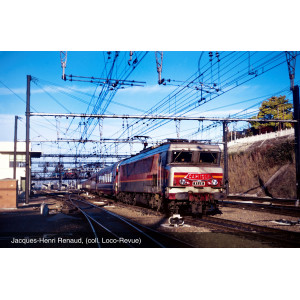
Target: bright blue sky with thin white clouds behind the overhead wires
177	65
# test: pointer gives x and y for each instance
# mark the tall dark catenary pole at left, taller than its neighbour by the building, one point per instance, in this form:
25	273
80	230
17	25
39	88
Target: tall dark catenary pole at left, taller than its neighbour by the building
27	171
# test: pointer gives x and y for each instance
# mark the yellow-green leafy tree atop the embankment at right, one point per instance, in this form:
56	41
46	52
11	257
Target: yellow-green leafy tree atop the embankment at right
274	108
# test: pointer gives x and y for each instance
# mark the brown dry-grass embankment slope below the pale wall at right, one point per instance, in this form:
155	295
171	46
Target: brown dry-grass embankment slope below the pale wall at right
266	169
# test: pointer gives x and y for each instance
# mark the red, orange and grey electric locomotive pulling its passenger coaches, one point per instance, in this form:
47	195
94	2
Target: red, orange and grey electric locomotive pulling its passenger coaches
176	176
